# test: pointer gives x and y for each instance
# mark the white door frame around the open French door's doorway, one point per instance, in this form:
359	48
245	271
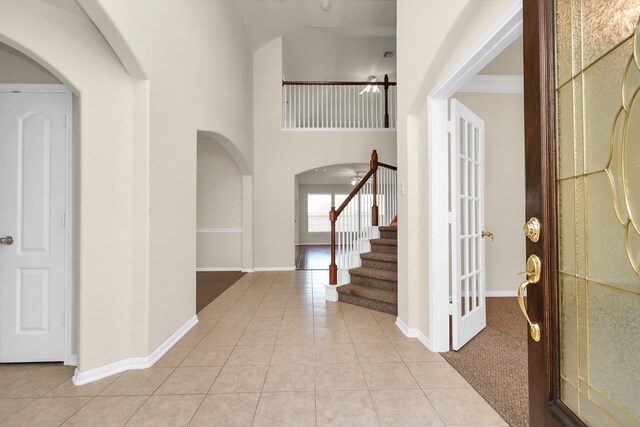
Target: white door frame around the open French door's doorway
499	38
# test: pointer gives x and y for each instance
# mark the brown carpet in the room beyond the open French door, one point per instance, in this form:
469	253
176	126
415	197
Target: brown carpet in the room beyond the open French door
495	361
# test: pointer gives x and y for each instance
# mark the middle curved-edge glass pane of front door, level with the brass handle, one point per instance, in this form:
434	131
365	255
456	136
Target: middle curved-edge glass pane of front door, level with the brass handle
607	259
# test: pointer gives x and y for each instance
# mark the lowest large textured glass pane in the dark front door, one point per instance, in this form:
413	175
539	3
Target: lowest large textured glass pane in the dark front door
614	347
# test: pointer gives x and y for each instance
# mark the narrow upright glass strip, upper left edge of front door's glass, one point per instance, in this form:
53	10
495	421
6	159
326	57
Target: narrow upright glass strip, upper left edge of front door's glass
565	131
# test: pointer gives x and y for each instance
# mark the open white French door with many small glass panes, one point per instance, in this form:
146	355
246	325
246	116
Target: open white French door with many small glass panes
467	204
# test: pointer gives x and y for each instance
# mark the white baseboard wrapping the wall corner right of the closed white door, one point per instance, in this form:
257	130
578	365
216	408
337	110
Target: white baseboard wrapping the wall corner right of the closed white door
80	378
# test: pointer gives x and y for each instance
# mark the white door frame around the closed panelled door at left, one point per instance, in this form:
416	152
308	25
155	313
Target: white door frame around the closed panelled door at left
69	357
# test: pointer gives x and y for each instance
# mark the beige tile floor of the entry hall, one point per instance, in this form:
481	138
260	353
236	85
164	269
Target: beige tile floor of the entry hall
270	351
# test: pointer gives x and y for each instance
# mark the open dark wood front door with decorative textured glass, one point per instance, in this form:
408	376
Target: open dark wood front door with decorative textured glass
582	142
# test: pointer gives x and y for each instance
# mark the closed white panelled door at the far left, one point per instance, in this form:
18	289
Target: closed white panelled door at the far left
33	206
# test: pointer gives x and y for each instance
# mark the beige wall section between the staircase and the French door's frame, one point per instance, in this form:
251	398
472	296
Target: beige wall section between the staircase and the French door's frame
432	37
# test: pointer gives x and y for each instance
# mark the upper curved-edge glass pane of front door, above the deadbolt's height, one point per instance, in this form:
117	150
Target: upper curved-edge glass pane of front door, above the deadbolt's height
602	101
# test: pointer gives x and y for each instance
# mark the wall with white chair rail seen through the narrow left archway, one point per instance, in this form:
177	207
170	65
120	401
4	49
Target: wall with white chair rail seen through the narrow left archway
219	209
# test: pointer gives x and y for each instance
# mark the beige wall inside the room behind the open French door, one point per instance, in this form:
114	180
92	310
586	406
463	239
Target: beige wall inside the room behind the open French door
503	116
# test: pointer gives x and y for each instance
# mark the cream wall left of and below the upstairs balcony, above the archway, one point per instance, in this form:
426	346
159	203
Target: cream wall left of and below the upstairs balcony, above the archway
280	155
